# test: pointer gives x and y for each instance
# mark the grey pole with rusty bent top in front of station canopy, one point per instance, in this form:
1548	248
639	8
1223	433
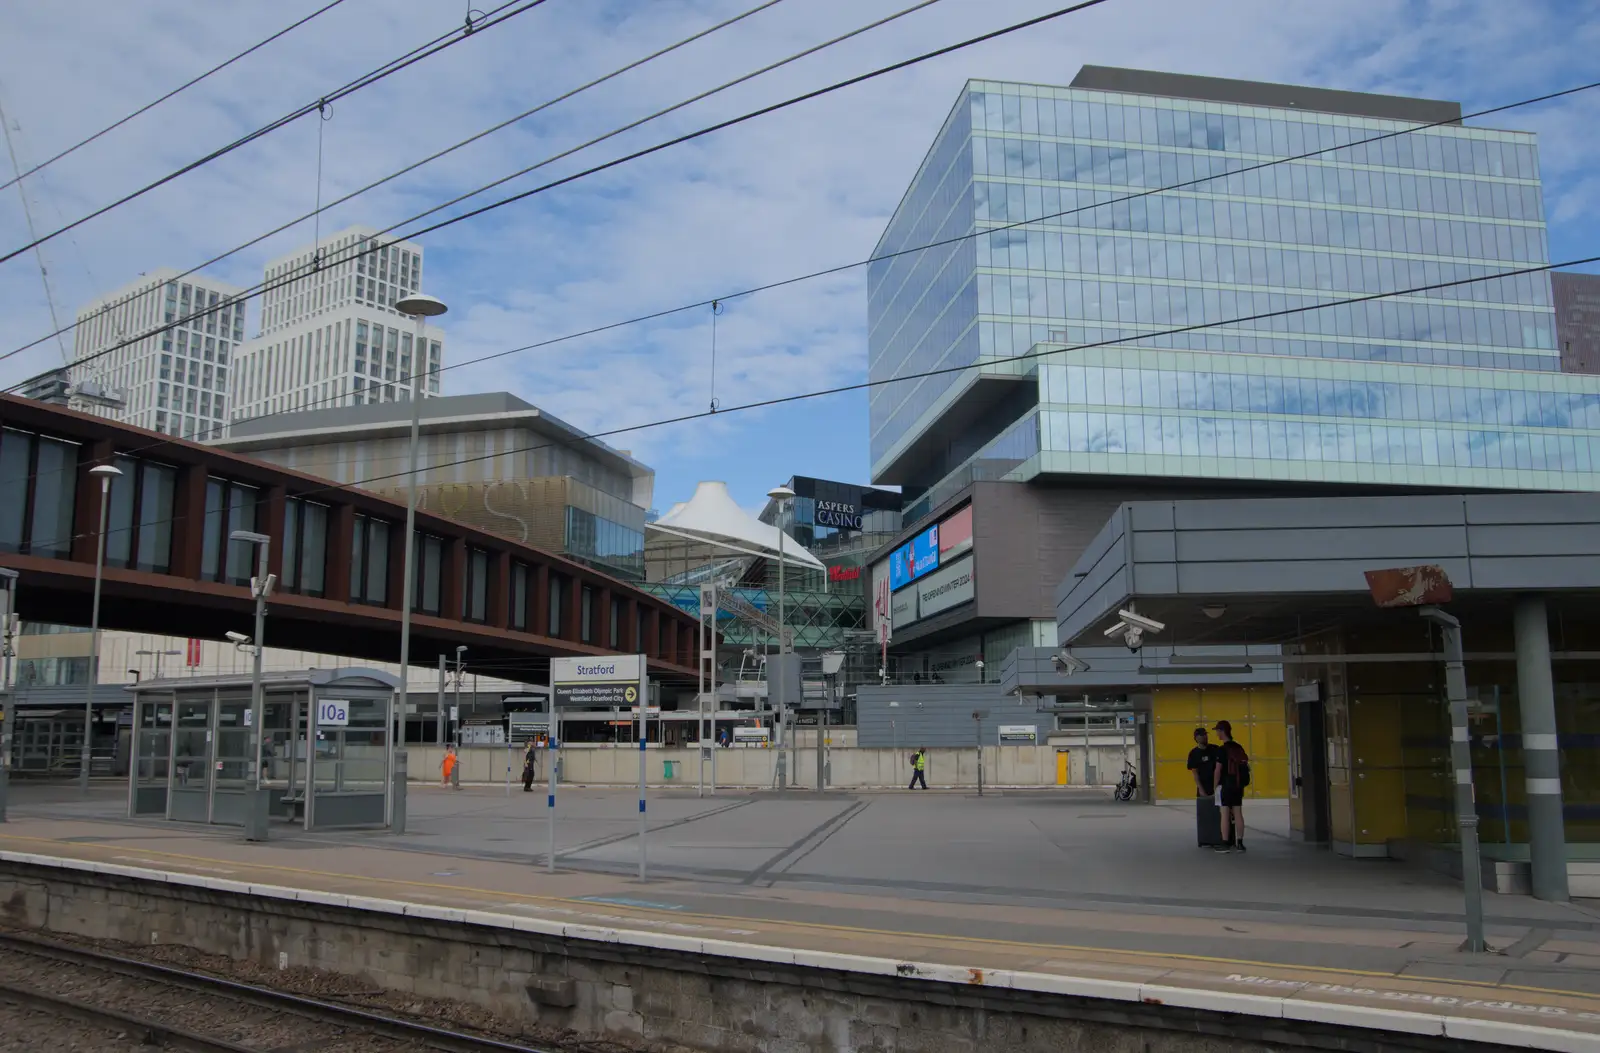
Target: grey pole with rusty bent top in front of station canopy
1425	588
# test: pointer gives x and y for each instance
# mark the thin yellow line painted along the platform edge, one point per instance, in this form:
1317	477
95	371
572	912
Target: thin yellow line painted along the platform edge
570	902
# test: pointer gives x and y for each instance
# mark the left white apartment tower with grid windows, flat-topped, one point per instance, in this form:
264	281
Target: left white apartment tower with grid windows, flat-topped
174	380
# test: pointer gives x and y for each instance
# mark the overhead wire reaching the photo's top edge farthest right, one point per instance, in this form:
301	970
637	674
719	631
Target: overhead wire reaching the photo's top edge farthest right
356	250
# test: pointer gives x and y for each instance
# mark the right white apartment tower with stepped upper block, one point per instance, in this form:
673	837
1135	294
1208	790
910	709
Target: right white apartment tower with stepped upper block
330	335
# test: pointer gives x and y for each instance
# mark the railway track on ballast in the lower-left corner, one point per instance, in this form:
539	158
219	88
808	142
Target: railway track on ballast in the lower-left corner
284	1020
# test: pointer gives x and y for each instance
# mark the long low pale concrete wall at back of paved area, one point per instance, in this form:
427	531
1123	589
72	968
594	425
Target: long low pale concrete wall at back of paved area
753	769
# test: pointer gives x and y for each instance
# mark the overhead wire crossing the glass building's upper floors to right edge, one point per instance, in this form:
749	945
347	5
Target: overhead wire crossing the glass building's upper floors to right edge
961	238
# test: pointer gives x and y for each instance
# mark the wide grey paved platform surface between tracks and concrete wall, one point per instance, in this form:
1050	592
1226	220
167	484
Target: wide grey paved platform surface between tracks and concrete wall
1050	881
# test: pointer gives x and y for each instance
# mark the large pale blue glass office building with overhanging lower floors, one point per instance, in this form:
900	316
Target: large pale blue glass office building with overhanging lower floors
1060	329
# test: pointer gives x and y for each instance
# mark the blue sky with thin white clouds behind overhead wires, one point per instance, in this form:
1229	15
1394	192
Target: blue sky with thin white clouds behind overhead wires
775	198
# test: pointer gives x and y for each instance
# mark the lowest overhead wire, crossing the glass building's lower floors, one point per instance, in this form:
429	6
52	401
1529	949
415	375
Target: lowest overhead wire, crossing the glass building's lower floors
868	385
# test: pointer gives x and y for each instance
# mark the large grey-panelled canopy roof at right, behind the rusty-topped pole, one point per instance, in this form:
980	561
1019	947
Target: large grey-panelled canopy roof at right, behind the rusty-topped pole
1270	571
